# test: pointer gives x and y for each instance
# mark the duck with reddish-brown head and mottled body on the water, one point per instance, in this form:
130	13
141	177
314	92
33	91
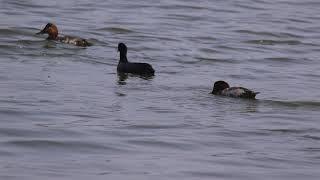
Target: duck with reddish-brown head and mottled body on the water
52	31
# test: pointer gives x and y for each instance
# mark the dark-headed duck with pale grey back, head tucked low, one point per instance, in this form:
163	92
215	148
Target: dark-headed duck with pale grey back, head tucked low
222	88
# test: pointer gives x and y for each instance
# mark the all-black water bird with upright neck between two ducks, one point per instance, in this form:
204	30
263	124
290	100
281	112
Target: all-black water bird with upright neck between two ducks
135	68
